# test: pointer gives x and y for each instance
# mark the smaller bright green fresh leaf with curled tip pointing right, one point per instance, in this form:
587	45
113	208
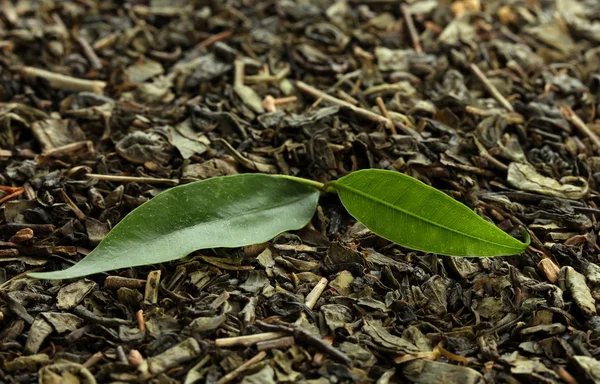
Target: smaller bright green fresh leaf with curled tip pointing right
410	213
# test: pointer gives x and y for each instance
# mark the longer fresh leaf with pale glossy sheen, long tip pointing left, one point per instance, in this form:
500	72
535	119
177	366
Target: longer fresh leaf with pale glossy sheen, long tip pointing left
230	211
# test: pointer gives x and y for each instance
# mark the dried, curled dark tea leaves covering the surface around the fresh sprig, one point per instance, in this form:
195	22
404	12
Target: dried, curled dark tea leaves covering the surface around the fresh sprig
105	104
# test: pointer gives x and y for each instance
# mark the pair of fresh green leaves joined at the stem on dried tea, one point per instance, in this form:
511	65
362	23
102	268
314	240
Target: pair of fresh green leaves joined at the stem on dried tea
235	211
